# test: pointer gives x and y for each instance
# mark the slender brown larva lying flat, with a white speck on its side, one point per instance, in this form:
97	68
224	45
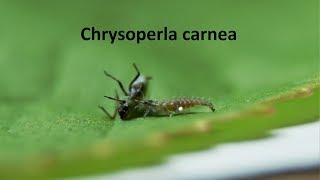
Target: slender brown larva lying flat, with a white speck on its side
173	106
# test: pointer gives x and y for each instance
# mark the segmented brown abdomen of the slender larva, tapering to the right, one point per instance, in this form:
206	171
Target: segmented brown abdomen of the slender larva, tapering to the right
177	105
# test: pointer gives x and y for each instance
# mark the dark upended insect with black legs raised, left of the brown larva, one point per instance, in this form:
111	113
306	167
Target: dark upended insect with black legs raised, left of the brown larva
137	90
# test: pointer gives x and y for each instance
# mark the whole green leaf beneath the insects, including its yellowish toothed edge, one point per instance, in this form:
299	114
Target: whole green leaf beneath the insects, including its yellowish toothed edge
52	81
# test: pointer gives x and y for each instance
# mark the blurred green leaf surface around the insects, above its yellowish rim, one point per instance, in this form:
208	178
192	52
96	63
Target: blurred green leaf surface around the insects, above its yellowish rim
51	81
